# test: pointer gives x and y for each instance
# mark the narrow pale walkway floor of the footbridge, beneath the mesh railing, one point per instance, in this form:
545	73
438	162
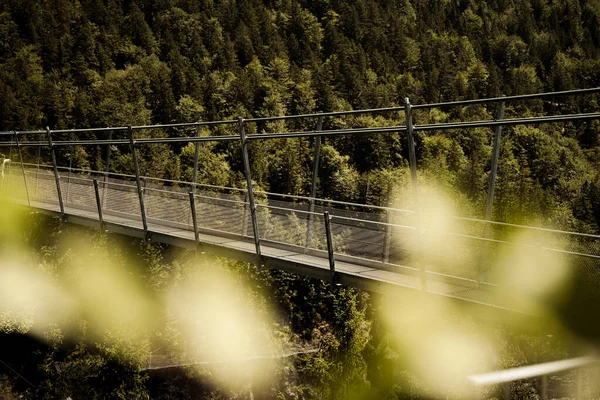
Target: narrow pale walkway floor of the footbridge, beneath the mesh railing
364	277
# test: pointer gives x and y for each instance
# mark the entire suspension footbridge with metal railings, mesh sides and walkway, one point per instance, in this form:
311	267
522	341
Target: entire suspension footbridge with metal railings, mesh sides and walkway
372	247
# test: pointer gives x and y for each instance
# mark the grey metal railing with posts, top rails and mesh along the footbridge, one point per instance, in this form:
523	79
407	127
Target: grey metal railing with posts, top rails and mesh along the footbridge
360	232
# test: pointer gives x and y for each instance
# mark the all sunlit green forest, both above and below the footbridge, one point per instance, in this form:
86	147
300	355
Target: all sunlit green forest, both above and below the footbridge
100	63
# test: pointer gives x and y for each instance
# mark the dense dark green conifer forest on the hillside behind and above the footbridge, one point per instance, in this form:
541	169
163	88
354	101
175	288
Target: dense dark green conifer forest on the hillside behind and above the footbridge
70	64
